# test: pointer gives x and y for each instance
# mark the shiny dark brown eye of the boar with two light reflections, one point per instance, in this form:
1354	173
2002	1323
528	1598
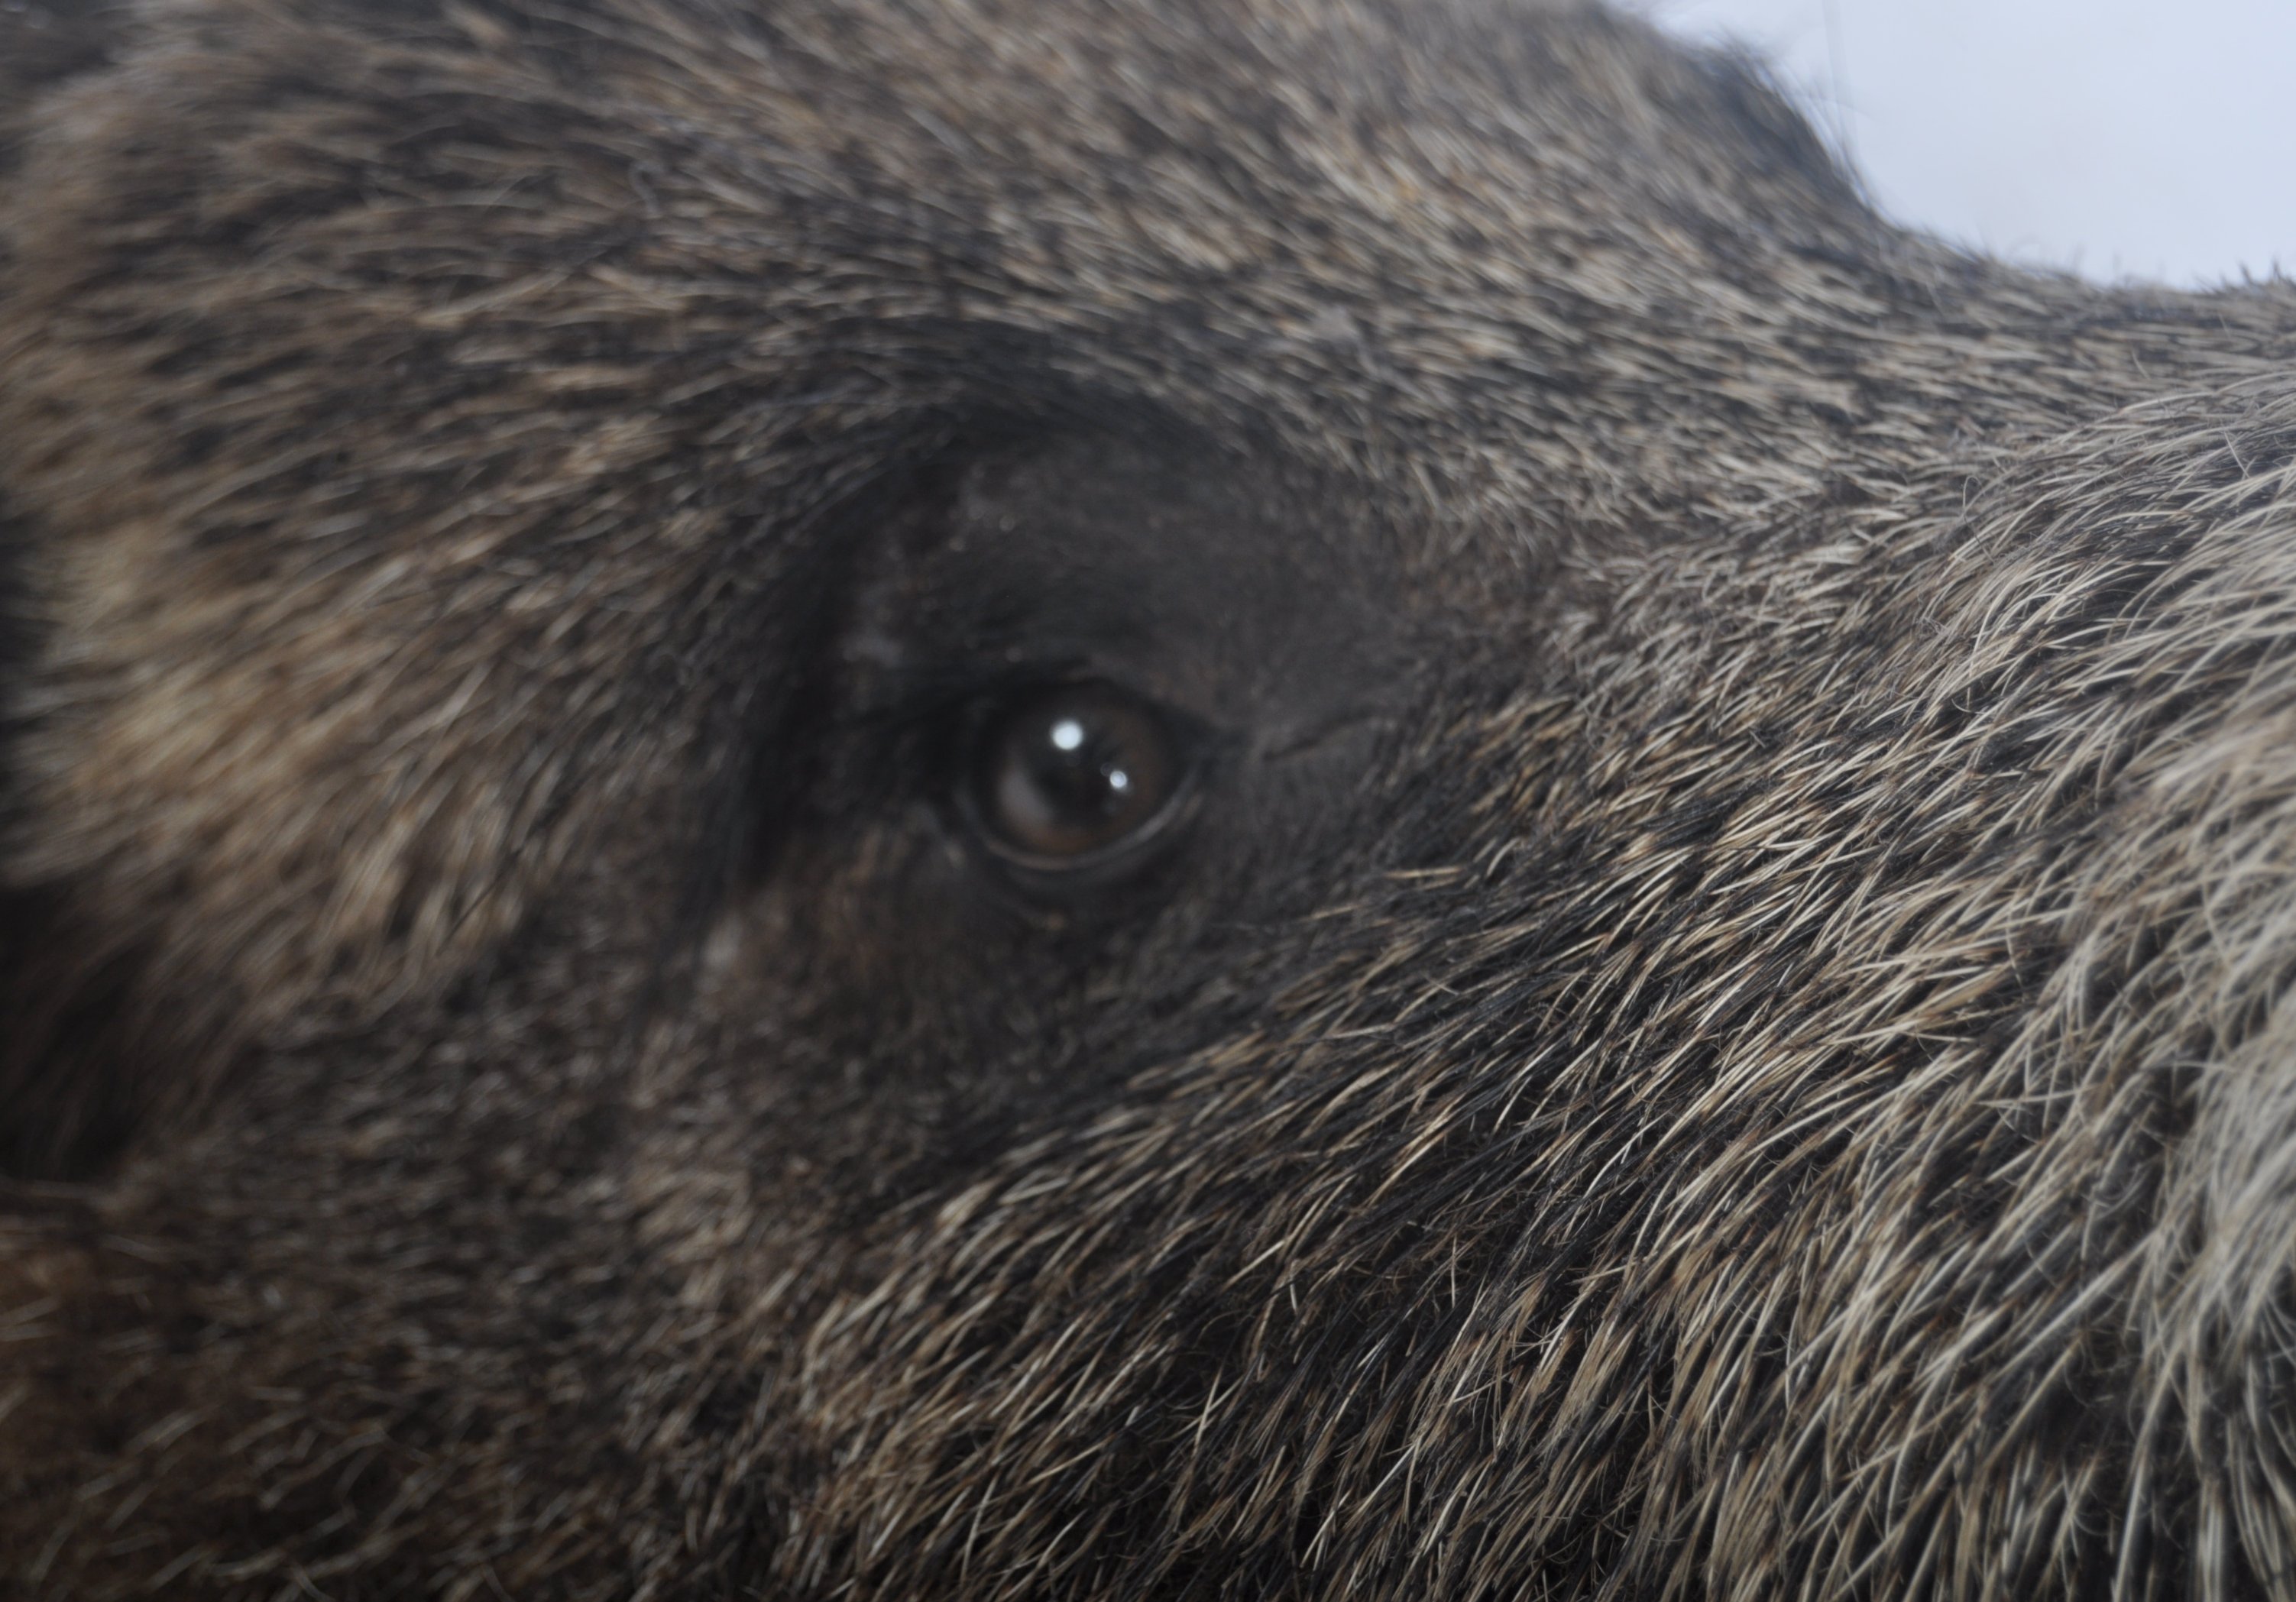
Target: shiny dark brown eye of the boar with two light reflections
1076	775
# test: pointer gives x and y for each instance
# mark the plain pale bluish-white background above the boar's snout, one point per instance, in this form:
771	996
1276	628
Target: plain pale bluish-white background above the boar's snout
2123	139
